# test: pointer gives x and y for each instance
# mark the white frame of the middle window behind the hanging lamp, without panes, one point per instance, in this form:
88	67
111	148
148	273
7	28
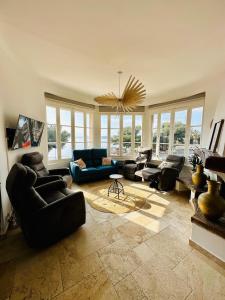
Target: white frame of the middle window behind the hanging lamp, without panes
133	114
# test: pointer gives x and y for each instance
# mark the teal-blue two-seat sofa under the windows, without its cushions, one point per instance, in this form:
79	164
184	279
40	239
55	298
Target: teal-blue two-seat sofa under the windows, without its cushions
94	169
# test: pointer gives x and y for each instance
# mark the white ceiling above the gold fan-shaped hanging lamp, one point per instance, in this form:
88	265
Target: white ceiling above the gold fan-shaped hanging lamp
82	44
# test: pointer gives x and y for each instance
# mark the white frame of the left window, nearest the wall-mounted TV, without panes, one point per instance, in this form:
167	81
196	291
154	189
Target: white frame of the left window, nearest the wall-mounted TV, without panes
72	108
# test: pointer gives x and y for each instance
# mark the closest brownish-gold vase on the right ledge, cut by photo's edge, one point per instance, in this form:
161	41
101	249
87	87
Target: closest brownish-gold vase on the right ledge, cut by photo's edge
211	204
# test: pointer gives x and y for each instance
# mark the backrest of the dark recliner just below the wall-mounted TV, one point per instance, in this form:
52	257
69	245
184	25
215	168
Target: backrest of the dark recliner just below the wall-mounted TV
34	160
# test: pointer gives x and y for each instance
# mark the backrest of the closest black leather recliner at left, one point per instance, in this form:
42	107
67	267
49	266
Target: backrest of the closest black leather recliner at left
19	186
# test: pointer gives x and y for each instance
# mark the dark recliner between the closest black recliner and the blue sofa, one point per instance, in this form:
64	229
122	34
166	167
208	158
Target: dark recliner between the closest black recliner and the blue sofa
34	160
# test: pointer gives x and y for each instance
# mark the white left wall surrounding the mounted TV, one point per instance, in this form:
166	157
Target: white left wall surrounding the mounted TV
20	93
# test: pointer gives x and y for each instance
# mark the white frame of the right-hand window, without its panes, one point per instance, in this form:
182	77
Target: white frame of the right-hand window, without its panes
172	109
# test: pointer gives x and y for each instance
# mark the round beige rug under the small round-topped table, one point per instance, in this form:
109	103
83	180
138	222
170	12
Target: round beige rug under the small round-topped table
132	200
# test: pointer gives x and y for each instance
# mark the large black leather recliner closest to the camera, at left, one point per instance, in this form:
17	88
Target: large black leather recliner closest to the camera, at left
46	213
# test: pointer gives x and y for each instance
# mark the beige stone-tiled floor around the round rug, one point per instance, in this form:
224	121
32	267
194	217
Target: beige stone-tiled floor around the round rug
139	255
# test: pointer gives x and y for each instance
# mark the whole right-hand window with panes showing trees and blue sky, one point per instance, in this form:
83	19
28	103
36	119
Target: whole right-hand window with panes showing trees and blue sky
176	130
